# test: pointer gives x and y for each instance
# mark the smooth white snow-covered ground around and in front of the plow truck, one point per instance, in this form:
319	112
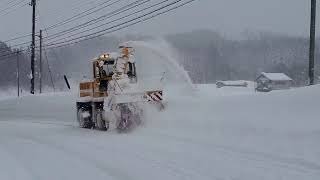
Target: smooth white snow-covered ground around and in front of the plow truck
223	134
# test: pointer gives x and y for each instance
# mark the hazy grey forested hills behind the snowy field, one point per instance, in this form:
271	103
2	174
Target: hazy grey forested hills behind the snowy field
206	55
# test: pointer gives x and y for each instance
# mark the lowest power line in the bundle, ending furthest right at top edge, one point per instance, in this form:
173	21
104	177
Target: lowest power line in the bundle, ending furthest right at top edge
123	27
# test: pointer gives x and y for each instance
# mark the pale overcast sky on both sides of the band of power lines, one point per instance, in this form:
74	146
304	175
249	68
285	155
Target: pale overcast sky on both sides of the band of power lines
230	17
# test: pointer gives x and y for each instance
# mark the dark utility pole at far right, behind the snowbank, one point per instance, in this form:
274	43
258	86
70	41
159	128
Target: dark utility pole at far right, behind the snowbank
312	41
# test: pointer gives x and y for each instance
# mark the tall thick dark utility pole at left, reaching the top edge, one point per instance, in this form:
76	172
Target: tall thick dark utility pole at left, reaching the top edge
33	4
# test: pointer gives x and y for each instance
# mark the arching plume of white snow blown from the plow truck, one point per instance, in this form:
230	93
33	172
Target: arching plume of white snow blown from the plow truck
158	58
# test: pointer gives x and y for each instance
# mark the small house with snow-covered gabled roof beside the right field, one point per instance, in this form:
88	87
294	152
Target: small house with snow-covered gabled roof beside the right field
266	82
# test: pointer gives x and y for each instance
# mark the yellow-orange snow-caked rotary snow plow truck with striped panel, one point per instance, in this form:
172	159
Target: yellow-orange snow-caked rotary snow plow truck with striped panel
114	94
